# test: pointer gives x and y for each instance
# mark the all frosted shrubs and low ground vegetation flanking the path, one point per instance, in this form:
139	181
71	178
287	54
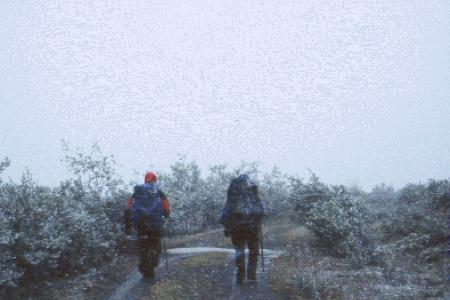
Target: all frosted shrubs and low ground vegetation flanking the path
339	241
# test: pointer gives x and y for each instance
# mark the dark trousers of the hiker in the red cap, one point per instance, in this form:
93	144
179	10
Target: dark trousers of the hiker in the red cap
149	242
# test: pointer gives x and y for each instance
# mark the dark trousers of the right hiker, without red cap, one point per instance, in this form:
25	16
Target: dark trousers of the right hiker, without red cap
242	236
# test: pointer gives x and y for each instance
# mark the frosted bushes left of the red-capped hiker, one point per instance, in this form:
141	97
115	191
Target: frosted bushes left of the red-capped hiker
67	229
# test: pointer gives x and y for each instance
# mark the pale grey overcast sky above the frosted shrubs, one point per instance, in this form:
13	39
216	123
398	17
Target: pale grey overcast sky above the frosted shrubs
356	91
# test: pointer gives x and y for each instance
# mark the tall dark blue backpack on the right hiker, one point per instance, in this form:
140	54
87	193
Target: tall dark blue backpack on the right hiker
243	206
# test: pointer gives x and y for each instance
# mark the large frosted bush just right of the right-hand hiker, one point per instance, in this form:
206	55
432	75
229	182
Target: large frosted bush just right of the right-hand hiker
332	213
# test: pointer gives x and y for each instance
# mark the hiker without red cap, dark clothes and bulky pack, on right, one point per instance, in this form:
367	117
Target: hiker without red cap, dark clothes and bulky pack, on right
242	217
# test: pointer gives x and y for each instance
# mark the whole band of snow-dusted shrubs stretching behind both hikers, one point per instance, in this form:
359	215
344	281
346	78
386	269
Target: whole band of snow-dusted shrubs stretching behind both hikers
54	231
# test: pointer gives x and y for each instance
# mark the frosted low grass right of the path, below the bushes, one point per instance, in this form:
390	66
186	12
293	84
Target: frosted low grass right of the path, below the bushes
305	271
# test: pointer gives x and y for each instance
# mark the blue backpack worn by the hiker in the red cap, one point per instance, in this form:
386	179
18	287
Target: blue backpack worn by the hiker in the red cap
147	211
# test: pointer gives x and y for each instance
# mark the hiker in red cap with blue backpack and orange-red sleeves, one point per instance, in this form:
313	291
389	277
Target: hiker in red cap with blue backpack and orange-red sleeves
146	209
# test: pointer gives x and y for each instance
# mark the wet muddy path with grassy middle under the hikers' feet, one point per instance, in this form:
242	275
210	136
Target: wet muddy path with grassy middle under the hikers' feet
198	273
